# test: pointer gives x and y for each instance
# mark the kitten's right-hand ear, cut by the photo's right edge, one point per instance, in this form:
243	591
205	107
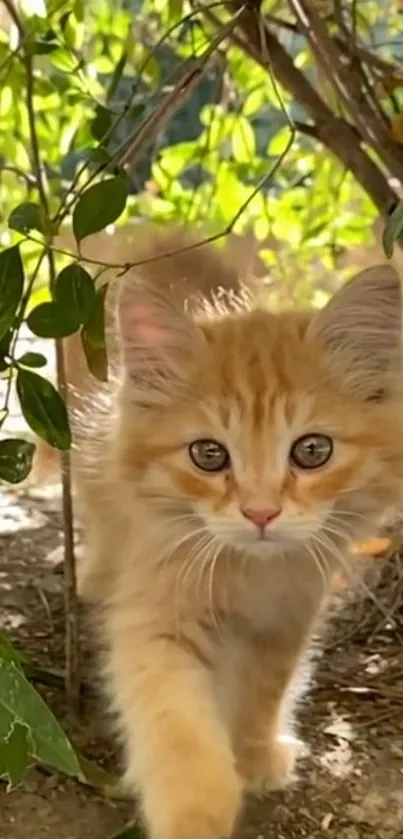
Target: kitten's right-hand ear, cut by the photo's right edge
362	328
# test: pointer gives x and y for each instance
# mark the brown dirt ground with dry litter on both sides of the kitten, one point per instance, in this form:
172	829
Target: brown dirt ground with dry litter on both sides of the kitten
351	778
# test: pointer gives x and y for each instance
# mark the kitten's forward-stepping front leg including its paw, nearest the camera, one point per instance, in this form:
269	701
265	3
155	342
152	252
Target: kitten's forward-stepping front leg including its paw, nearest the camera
179	756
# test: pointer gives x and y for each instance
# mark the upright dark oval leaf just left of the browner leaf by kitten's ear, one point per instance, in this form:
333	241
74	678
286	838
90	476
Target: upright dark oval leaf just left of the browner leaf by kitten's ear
75	292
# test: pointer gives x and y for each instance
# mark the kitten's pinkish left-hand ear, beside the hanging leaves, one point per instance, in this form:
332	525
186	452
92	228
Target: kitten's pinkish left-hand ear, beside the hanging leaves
158	340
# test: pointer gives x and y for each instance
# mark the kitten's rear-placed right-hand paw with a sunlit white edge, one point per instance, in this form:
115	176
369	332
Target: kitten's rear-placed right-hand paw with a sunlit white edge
269	767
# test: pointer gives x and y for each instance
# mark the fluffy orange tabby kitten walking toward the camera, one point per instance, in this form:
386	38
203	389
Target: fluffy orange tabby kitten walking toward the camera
222	480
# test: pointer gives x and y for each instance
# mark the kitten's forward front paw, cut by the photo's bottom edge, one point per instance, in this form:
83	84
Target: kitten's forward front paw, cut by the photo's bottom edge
194	804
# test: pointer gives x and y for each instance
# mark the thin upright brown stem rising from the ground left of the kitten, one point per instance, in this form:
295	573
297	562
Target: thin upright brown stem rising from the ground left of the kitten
72	669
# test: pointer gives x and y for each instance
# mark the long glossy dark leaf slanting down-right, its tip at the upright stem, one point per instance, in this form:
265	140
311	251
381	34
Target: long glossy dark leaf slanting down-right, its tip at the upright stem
43	409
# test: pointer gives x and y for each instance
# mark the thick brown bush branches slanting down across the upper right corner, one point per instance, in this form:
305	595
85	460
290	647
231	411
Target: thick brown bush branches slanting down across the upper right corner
341	137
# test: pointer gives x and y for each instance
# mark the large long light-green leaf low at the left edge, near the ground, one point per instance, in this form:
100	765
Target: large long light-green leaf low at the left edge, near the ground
20	703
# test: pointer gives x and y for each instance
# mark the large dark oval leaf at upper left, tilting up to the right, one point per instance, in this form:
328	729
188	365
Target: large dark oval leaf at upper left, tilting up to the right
100	205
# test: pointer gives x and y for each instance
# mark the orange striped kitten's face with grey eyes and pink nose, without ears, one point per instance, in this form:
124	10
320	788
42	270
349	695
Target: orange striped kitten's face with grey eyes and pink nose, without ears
262	448
